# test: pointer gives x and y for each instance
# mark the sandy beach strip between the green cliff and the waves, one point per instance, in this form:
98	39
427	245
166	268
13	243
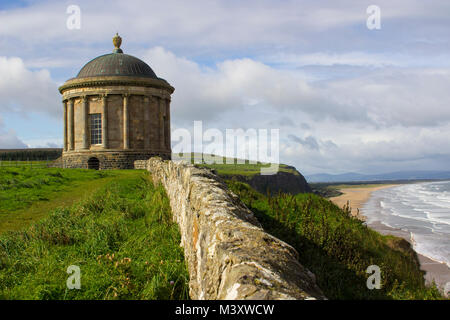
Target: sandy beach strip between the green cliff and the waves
357	196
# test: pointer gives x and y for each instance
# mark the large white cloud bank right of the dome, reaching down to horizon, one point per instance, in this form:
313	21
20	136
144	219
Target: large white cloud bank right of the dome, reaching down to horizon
385	118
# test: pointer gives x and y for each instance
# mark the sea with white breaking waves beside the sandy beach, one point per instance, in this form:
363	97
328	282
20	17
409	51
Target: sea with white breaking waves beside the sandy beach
422	209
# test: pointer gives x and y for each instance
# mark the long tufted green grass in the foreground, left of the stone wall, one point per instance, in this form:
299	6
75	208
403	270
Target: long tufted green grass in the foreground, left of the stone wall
122	237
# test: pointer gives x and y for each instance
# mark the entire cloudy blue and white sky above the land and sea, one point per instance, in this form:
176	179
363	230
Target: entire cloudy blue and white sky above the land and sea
344	97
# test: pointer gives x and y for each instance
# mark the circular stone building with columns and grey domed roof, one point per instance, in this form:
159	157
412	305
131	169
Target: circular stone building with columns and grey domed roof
116	111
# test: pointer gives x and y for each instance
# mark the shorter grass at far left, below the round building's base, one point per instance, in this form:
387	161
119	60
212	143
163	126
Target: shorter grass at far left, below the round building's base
28	194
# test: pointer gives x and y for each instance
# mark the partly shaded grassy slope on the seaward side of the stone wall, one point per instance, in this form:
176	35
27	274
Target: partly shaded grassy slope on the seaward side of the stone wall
338	248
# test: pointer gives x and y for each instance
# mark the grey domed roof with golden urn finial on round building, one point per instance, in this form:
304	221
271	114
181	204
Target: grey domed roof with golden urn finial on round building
117	64
